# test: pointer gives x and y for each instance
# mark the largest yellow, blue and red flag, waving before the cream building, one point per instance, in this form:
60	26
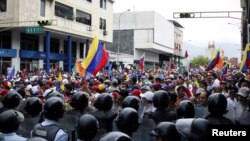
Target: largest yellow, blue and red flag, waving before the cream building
96	59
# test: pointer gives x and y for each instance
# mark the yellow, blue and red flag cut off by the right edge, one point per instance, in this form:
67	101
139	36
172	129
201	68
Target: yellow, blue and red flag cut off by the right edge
245	62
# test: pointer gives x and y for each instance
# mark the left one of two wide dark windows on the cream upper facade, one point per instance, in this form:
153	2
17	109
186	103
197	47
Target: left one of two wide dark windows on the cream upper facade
64	11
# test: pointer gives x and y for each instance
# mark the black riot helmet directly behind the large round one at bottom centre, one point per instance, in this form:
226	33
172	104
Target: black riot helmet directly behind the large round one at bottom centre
132	102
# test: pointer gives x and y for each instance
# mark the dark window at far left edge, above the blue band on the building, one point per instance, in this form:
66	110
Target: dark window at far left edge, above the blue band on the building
5	39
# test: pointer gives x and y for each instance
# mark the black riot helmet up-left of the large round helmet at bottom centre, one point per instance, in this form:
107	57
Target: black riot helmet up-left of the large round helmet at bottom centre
104	102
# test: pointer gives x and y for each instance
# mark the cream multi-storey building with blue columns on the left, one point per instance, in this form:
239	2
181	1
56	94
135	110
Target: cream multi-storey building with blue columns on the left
43	33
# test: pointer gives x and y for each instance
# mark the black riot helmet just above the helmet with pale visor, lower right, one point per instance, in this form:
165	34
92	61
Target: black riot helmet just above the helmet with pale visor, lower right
185	109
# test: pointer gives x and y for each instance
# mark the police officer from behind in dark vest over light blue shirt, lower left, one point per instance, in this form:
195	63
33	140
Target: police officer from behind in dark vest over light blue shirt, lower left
50	129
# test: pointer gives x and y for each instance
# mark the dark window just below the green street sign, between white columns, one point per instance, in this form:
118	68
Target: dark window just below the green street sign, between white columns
29	42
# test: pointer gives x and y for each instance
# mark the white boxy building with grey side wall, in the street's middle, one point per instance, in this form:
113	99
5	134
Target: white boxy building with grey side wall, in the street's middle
147	32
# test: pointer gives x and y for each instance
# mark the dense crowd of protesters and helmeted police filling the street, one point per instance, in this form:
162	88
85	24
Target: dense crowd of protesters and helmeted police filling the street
154	105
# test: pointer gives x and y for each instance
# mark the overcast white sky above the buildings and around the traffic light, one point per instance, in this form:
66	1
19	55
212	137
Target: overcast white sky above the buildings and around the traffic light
197	32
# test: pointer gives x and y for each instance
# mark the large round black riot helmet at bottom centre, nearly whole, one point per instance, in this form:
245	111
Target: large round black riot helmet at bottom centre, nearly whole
128	121
